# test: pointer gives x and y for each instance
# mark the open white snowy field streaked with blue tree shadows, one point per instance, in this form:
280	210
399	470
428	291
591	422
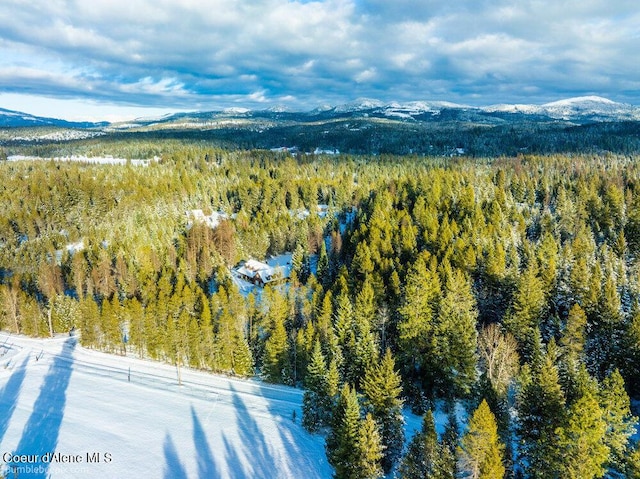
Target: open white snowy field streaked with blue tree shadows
108	416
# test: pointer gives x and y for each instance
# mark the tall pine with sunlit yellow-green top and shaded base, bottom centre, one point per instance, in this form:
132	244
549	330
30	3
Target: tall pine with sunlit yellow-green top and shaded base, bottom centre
381	386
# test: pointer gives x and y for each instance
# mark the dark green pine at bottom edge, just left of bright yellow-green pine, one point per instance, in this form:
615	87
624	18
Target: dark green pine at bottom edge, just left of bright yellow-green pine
426	457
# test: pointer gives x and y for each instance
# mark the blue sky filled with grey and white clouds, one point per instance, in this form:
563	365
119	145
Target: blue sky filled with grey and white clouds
118	59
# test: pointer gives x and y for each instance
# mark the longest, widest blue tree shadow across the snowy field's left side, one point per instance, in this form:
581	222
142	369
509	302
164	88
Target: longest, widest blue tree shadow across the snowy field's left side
40	434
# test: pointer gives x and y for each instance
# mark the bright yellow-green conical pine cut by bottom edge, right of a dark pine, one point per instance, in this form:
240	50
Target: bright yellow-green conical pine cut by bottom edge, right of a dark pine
481	451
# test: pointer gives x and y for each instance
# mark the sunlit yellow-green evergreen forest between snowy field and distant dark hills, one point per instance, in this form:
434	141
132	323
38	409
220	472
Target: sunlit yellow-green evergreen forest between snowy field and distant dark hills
508	287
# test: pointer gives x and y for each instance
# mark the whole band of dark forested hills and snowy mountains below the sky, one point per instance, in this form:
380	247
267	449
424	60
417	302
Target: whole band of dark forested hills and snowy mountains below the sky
583	124
